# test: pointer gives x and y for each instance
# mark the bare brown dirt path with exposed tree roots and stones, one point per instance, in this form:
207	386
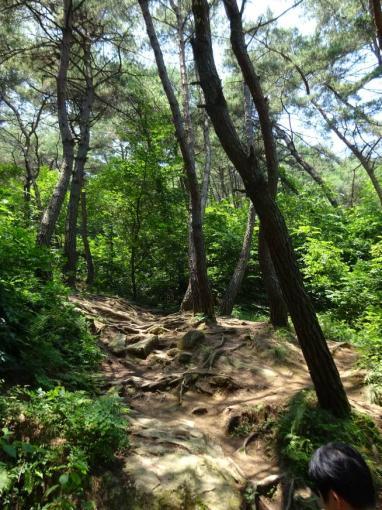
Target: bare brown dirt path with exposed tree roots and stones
196	392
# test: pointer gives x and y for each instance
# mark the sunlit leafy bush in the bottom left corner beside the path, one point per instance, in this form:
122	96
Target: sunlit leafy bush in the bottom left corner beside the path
51	442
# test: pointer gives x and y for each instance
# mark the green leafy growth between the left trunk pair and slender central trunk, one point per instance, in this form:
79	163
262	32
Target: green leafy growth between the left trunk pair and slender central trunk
138	224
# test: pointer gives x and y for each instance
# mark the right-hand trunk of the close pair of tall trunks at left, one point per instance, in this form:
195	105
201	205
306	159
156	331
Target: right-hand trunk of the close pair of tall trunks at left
70	248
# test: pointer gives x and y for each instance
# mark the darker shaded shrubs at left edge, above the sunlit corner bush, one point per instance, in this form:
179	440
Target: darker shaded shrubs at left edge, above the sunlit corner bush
41	334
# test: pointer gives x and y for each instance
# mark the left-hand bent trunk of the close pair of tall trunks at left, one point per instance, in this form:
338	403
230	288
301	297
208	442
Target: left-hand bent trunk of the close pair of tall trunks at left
52	211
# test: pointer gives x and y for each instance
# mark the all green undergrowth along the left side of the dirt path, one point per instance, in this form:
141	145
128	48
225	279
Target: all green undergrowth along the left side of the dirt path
52	439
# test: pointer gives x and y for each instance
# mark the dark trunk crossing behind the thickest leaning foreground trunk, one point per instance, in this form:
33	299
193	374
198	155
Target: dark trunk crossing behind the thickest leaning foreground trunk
278	309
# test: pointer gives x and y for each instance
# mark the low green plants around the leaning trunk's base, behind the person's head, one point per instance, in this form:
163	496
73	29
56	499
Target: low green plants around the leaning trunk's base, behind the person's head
303	427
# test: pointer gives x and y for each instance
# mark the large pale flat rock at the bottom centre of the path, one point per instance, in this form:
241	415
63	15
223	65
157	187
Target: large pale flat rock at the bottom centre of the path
190	471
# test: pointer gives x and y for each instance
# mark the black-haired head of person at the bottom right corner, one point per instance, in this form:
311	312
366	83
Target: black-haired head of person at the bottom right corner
342	478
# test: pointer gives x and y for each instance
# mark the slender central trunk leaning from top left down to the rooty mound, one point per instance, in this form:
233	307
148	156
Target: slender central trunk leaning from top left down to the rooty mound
199	272
